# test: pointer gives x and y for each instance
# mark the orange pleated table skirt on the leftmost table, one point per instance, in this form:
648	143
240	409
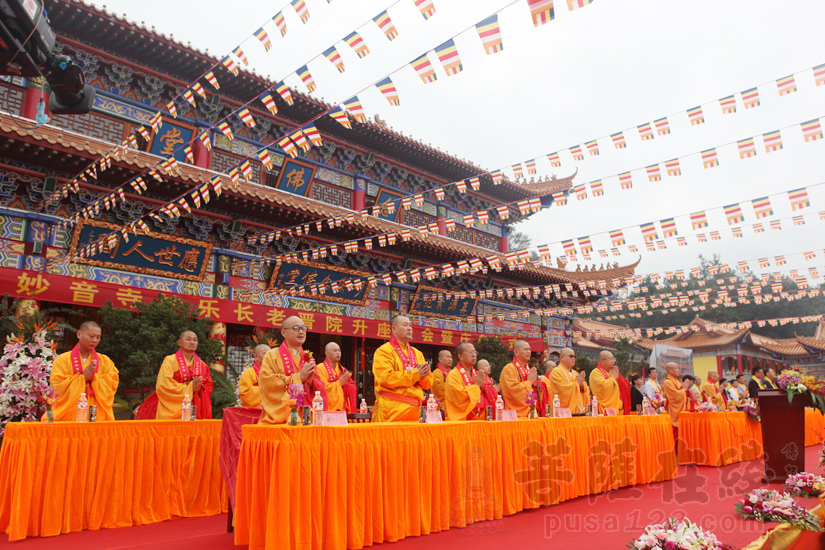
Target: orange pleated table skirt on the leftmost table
64	477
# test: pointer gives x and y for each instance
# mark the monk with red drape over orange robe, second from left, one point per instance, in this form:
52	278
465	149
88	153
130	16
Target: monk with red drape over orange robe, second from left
181	374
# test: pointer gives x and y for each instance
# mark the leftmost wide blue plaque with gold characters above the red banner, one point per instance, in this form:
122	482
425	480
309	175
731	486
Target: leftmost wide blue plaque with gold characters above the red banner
148	253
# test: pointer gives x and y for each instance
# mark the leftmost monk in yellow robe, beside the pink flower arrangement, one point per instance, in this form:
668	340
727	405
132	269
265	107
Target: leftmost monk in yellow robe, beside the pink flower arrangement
83	370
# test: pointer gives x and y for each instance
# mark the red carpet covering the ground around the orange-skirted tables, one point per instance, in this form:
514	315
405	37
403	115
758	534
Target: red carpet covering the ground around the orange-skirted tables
705	495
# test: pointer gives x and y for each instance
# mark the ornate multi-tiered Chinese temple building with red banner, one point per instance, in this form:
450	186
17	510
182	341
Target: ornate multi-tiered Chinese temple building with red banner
210	251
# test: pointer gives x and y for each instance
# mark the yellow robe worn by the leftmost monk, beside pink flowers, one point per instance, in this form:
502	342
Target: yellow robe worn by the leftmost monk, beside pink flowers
69	386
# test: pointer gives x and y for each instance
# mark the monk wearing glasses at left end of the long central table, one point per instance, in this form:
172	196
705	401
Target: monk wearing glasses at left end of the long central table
287	366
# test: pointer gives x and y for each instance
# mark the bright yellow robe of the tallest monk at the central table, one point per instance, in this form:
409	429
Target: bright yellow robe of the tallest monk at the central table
397	388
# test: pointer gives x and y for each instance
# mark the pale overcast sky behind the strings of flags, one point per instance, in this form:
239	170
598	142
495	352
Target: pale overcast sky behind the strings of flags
610	66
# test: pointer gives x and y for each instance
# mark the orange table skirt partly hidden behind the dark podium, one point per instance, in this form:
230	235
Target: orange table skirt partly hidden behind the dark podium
722	438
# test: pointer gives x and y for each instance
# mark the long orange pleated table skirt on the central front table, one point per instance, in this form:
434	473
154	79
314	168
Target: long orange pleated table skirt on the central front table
354	486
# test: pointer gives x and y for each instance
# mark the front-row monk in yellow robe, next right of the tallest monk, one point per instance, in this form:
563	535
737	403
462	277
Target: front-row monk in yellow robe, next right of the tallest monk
466	395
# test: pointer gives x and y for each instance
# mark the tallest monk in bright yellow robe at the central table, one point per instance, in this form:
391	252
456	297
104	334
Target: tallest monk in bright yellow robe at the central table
401	376
